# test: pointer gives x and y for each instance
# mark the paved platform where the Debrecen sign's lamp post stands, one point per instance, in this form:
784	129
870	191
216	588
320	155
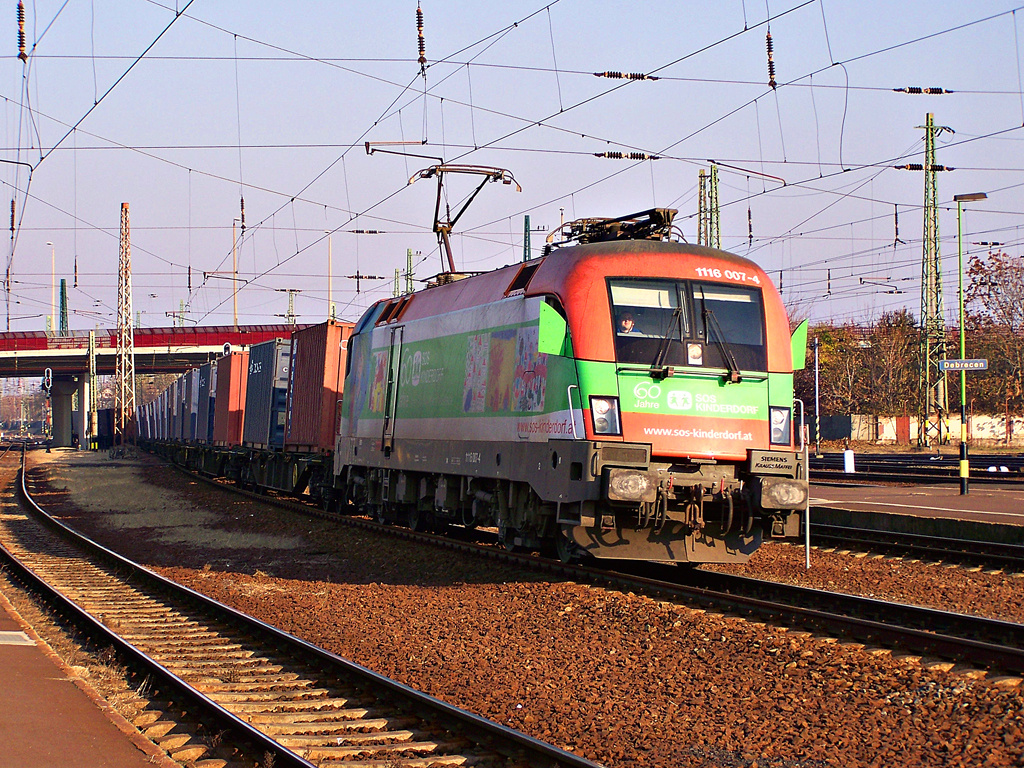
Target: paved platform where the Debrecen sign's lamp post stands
991	513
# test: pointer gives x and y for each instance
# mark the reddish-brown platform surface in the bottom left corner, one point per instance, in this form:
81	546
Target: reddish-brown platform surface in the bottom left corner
50	718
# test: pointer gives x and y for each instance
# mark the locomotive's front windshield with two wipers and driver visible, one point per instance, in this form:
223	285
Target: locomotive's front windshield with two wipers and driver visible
686	323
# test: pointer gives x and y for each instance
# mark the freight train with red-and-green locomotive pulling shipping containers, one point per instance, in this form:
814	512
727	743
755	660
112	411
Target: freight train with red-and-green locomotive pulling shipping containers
625	396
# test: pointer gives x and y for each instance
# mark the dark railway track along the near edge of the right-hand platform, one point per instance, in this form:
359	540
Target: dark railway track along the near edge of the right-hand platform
1009	558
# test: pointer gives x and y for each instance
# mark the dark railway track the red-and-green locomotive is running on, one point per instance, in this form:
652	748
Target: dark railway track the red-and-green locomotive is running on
959	638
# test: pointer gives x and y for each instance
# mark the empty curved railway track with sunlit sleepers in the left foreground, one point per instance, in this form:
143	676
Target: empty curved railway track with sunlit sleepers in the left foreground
287	701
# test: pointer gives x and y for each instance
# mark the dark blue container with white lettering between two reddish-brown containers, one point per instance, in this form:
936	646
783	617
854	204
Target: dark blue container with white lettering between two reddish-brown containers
267	395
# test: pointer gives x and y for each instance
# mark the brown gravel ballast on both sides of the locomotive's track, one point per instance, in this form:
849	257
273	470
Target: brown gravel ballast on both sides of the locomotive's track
622	679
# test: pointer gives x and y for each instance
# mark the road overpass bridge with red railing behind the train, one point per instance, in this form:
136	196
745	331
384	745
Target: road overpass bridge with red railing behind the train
158	351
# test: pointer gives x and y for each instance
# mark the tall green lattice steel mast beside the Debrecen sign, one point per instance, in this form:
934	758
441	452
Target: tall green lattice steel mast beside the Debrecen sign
934	406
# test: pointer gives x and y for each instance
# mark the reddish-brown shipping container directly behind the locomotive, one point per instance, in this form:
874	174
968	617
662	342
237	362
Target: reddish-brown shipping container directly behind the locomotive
316	385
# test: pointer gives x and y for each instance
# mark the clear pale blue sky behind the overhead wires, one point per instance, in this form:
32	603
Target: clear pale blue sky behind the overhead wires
273	102
